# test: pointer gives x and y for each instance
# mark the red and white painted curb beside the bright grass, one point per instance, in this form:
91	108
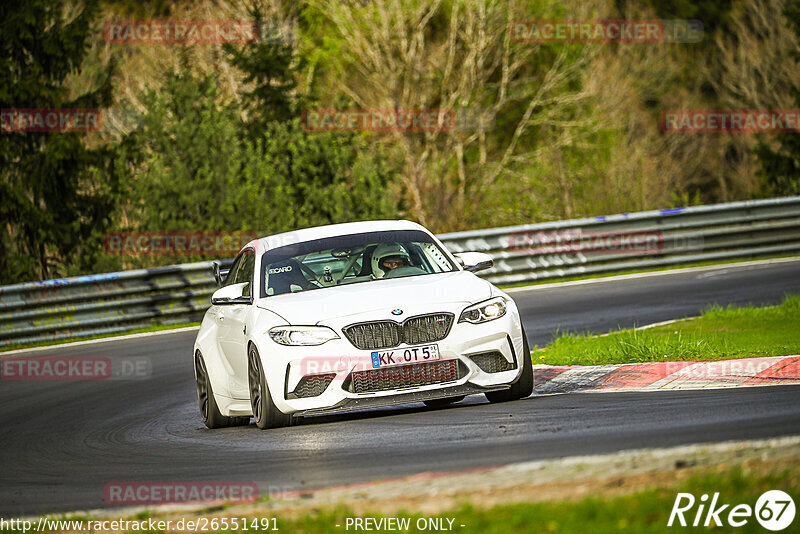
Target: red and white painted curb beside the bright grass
667	375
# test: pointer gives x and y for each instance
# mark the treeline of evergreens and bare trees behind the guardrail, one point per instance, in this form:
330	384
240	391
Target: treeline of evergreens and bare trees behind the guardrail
209	137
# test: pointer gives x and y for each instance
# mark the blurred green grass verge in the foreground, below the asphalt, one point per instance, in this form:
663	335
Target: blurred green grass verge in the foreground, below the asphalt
625	504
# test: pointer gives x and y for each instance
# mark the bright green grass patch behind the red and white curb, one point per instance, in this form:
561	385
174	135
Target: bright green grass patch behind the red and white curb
719	334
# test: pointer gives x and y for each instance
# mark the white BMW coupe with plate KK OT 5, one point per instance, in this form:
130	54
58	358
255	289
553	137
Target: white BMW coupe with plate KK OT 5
352	316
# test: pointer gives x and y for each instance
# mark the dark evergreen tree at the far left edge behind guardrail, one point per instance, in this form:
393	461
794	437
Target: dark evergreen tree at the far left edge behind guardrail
55	190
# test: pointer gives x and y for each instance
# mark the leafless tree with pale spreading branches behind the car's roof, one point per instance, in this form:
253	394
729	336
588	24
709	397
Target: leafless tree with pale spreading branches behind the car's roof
457	56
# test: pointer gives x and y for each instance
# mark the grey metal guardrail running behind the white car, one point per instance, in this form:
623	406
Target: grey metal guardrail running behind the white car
118	302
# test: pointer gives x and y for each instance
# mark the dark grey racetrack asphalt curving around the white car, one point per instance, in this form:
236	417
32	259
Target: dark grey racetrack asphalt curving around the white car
62	442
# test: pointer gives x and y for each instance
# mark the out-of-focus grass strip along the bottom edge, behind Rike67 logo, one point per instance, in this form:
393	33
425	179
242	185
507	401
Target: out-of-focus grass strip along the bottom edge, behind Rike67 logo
645	510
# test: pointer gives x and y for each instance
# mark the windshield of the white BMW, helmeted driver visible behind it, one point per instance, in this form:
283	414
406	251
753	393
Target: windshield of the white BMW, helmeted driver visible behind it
351	259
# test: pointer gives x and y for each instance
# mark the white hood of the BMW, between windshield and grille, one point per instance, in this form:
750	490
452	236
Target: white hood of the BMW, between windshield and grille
376	299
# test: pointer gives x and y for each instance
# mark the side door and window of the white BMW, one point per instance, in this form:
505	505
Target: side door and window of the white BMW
232	326
